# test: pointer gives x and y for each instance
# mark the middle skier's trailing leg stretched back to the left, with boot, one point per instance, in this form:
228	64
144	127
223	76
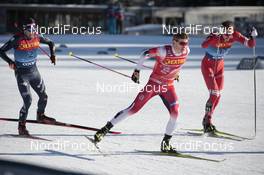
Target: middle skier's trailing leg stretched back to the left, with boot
145	94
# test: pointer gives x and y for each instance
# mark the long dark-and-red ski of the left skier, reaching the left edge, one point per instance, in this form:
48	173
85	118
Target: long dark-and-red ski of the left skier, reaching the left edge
57	123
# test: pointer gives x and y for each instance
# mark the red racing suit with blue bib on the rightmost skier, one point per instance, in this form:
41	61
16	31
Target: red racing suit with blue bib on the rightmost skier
212	67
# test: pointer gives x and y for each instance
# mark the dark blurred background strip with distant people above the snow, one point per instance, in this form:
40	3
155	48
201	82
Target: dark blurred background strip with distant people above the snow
133	17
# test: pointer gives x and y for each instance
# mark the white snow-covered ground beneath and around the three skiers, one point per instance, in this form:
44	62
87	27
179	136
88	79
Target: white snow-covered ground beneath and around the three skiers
75	96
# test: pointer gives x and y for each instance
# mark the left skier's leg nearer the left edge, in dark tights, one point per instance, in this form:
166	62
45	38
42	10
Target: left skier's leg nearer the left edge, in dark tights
24	89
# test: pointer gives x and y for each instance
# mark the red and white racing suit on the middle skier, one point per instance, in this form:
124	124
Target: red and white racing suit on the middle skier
167	66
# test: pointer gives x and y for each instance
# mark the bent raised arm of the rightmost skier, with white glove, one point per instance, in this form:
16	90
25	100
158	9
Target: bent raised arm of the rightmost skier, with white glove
248	42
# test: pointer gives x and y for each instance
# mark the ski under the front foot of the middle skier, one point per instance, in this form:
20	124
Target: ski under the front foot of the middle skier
180	155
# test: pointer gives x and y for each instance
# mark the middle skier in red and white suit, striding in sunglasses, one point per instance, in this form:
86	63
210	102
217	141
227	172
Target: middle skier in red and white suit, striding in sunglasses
169	60
